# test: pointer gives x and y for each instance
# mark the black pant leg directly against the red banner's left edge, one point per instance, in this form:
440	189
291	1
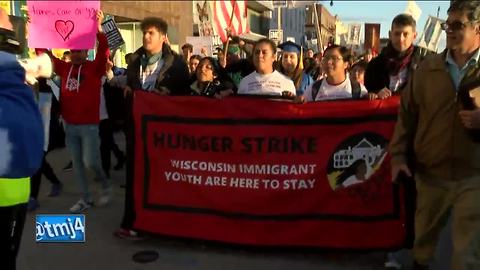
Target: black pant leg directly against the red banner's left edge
129	209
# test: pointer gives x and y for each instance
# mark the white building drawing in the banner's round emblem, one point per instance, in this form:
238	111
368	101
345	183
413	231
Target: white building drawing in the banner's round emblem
363	150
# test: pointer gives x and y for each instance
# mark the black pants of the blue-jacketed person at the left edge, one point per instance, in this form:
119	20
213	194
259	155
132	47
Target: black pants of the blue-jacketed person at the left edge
12	220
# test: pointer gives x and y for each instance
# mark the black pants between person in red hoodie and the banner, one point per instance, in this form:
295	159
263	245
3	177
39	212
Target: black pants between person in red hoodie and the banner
107	144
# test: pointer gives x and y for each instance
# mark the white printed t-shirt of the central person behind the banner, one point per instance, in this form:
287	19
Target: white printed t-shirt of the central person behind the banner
269	84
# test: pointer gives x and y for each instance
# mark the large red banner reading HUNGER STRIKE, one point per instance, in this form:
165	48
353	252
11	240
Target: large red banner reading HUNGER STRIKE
263	172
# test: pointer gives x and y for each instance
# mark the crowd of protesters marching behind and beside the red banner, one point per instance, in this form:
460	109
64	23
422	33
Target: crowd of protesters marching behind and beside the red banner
96	99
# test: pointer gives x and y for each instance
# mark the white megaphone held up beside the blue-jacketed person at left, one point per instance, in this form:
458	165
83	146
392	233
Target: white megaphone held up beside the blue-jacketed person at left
40	66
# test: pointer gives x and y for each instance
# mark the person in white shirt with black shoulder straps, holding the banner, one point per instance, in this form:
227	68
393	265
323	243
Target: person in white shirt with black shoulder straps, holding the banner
337	84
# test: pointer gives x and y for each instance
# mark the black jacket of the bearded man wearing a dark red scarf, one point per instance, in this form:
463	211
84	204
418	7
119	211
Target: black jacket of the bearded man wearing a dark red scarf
377	76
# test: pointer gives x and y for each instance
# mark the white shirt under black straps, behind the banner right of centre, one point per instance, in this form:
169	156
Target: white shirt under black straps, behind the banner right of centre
332	92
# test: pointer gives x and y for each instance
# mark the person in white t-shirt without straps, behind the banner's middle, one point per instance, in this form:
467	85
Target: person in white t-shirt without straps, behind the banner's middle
265	80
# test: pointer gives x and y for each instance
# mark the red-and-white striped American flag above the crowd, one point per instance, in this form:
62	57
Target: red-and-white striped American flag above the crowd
222	15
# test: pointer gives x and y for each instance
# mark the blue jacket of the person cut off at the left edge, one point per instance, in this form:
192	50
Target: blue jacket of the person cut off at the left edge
21	131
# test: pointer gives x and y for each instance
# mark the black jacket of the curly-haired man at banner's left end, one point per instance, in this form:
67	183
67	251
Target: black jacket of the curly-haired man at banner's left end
173	76
